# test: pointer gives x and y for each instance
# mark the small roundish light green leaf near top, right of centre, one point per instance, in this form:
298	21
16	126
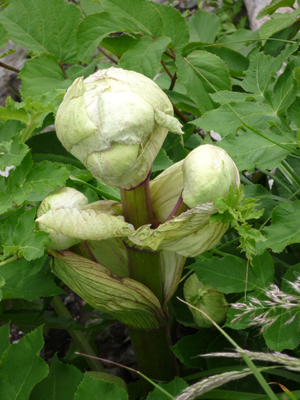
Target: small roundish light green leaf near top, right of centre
204	27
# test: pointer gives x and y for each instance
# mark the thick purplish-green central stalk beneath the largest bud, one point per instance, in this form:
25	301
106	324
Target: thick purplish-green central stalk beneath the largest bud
152	348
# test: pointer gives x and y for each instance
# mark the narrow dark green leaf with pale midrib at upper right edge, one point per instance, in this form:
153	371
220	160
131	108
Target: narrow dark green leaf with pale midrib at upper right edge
285	89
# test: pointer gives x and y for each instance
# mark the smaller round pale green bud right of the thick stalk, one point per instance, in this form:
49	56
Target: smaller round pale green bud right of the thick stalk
208	172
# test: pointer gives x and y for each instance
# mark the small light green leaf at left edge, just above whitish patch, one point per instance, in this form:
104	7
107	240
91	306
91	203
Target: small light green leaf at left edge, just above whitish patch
14	152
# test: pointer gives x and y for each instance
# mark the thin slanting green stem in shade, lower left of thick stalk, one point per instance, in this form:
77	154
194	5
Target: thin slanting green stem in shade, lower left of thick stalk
77	336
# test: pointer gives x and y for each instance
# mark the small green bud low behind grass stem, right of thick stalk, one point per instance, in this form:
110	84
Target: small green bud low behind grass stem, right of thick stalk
206	299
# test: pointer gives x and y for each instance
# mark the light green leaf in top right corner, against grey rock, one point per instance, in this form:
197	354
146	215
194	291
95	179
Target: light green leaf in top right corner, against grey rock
279	22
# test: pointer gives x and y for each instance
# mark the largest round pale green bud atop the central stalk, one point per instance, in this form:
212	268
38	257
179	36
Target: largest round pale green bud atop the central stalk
115	123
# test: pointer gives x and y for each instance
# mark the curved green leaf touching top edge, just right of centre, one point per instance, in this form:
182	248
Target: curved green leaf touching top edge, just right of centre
174	25
